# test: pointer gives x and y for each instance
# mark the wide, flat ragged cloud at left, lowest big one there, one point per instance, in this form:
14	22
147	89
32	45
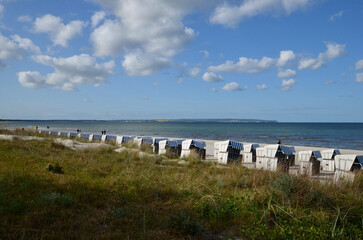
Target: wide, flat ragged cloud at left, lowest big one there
69	72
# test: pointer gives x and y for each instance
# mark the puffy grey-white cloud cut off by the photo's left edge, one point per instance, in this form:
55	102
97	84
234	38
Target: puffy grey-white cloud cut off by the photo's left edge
15	48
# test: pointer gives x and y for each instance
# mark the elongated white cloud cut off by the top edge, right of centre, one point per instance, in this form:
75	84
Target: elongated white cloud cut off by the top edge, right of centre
230	15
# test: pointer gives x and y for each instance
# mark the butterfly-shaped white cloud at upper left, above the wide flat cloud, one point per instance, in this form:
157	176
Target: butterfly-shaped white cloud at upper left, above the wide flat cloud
59	33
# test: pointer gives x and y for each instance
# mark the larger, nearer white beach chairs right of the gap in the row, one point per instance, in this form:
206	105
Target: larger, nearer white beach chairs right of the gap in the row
277	157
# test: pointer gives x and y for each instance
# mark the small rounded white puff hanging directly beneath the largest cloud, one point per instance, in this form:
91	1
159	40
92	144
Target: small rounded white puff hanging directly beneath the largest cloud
138	64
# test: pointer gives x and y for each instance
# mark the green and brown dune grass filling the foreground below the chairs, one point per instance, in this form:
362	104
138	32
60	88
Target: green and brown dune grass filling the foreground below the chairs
102	194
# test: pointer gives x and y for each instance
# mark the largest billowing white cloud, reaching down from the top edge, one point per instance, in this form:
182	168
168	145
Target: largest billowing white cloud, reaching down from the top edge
152	29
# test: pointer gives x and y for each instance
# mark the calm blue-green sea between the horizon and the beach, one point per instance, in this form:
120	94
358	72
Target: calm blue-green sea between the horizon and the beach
332	135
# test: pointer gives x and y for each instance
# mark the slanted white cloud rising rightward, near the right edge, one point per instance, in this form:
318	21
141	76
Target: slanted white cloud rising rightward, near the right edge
333	51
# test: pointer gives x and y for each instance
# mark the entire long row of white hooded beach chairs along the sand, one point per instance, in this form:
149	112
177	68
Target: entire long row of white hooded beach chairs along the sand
274	157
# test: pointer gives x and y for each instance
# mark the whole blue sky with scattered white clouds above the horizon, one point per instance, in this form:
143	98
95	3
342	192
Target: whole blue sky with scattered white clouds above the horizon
284	60
